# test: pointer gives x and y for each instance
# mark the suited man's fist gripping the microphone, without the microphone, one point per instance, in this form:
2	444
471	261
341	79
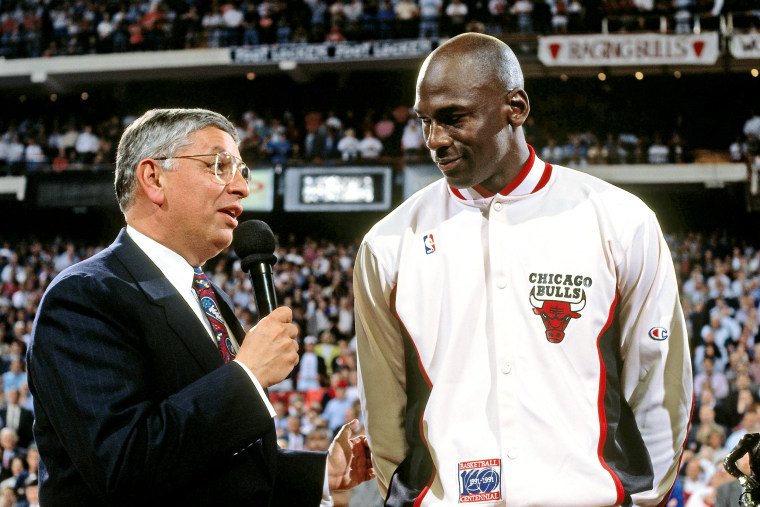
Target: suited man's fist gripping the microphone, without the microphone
270	349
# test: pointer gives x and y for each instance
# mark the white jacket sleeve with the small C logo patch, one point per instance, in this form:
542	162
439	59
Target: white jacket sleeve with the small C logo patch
657	376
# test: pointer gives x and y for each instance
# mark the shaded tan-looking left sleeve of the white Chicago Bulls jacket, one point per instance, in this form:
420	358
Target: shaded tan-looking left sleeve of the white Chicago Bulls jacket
382	377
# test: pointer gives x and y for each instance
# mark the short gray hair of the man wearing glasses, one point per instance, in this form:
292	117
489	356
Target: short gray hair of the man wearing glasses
159	133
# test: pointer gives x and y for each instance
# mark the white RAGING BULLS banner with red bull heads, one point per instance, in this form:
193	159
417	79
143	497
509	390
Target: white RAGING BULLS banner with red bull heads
628	49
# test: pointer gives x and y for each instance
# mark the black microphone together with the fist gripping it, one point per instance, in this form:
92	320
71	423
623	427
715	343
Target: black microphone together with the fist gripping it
269	349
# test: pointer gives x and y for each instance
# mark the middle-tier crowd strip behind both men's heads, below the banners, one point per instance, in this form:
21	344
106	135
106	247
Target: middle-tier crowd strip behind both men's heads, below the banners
325	137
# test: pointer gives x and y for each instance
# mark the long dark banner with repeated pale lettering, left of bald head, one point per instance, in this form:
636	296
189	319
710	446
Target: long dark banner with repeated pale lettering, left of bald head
332	51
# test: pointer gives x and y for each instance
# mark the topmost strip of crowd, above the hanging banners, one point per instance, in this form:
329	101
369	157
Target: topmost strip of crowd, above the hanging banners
35	28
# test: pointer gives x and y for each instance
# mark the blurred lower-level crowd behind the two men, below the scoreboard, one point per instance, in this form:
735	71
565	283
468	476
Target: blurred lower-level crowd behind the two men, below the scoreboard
720	293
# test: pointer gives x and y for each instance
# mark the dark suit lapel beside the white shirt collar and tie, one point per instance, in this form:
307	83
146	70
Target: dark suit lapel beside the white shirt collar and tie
157	289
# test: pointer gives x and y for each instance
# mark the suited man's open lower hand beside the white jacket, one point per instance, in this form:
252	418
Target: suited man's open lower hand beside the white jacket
349	460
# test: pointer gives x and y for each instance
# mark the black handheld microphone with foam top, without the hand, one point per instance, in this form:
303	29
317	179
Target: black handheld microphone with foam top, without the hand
253	242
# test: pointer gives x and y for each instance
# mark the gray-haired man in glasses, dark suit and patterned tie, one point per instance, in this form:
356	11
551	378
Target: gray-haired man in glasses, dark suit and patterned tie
147	392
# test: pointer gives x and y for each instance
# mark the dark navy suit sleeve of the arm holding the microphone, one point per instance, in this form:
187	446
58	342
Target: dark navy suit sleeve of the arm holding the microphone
121	432
